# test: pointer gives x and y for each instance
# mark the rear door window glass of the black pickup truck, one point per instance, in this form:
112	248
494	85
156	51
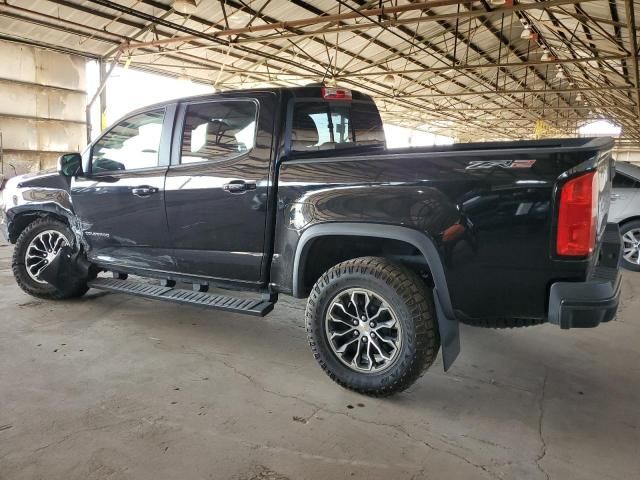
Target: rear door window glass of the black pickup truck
218	131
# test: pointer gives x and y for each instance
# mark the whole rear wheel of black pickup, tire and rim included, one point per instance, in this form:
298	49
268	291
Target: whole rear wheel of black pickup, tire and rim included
371	326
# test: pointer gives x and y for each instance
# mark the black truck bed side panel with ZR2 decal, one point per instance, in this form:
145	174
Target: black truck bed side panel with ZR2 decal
492	226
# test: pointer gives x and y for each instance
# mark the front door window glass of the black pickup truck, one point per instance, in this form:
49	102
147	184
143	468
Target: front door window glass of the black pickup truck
132	144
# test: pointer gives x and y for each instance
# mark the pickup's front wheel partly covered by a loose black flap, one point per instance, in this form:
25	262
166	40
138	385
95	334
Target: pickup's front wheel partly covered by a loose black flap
38	244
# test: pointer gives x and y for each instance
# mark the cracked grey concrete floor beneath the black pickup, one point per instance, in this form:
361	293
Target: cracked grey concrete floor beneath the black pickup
111	386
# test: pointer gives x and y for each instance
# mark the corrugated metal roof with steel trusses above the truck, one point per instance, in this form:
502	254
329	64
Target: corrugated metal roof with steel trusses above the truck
463	68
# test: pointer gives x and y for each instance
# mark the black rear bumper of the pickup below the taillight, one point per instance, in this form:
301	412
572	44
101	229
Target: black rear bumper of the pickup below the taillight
587	304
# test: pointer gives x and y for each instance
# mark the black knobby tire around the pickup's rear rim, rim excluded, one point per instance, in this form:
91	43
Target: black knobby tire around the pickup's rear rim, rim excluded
412	302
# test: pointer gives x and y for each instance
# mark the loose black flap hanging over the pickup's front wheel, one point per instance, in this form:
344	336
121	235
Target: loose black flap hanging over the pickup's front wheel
68	271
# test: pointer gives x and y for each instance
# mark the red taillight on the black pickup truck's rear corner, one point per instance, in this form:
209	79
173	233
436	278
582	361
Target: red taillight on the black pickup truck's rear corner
577	216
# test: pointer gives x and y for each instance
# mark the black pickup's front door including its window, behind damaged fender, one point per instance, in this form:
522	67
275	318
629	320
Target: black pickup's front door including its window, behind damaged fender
120	200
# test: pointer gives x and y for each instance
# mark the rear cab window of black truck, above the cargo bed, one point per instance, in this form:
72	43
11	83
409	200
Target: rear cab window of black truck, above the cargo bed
331	125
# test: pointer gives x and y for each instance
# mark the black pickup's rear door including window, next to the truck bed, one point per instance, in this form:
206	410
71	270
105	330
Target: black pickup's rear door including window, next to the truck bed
217	188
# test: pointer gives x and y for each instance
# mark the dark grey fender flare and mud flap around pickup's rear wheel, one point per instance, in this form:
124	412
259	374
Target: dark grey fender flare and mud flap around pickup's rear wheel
447	322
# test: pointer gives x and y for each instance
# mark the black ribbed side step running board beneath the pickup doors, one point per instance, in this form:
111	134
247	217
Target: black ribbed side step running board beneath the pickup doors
250	306
